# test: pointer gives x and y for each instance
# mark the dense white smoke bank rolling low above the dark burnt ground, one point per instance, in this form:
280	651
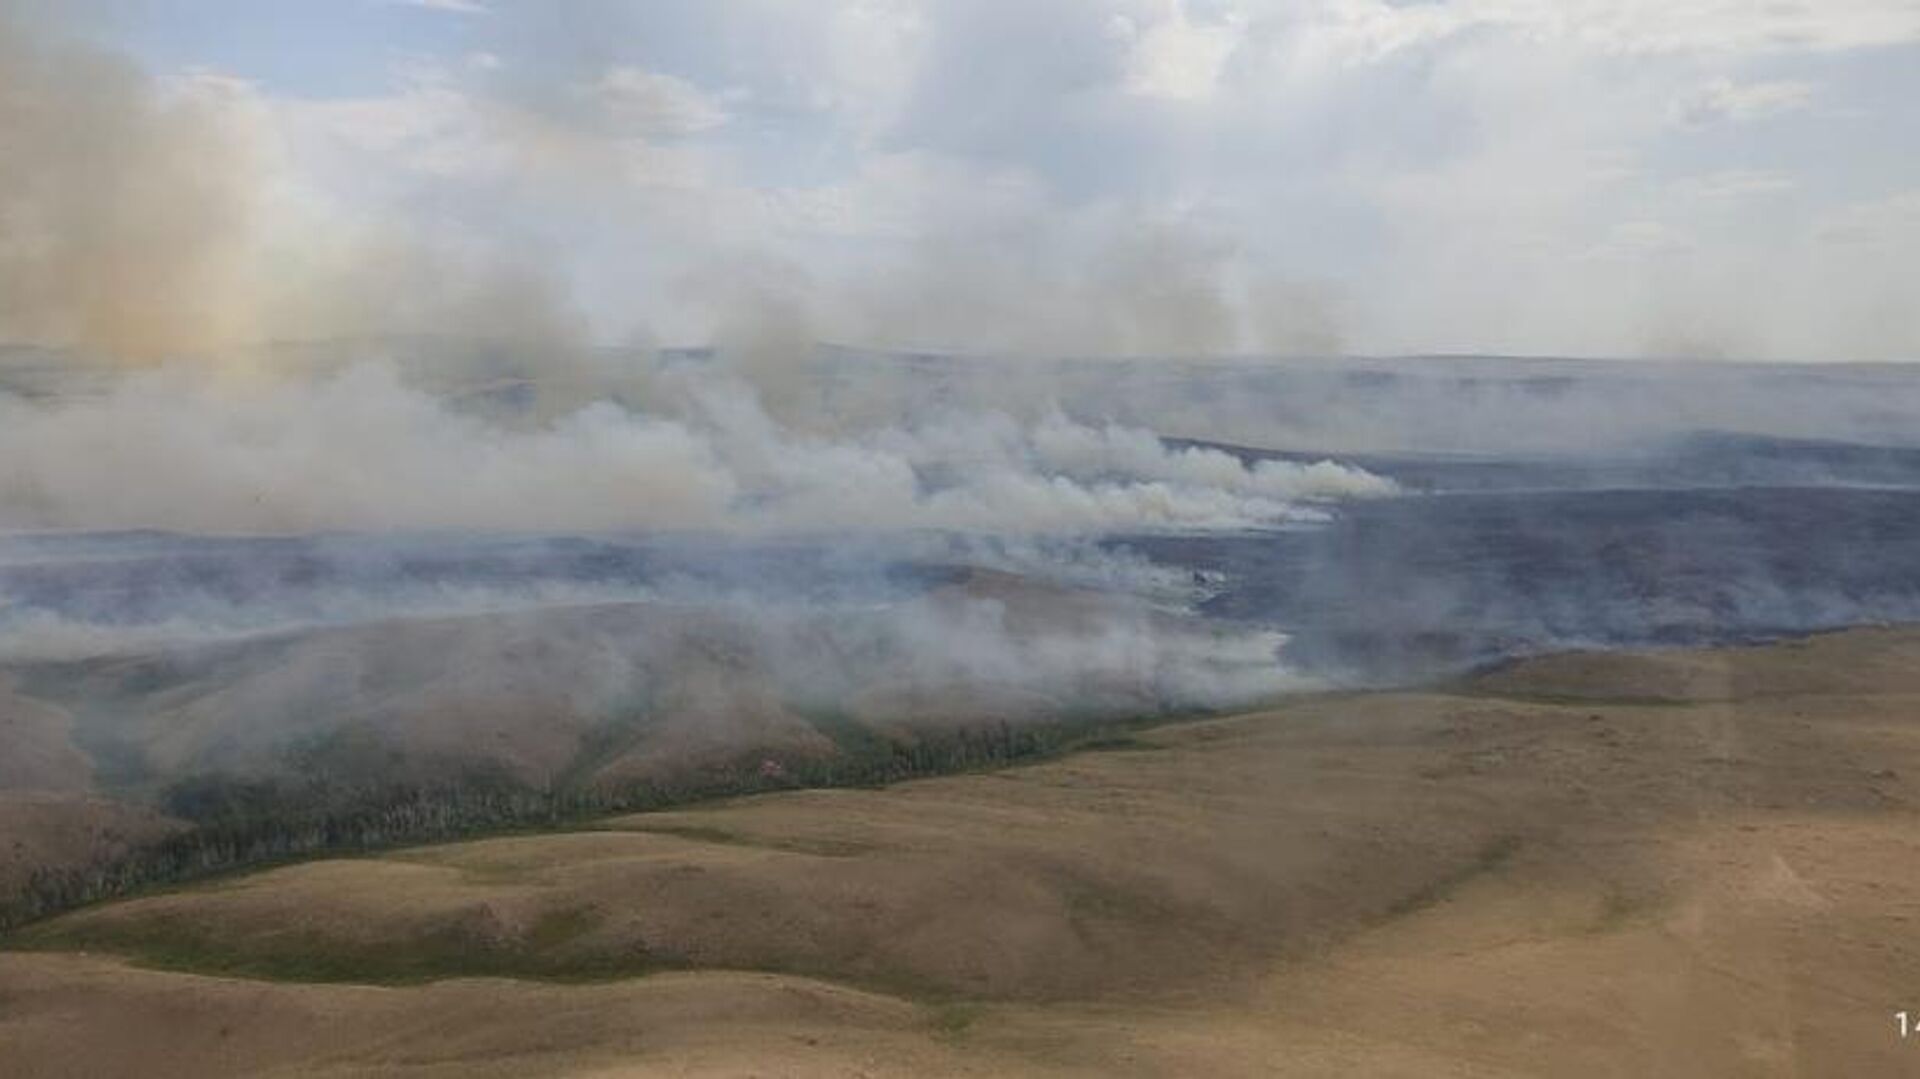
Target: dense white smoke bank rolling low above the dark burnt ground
364	450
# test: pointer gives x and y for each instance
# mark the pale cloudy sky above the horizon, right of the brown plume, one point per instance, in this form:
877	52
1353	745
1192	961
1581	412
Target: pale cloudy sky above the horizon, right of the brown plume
1547	178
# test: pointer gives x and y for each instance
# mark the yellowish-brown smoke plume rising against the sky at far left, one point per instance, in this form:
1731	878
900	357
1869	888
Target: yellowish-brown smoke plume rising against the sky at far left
126	208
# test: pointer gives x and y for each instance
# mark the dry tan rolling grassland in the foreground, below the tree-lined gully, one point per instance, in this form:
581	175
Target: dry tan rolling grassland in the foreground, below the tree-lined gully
1593	865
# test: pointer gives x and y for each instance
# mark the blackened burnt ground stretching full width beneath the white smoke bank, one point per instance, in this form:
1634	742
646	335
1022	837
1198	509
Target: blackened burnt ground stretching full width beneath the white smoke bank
1477	562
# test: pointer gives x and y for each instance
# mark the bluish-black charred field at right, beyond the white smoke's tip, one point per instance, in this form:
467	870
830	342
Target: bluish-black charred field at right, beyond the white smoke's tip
1408	588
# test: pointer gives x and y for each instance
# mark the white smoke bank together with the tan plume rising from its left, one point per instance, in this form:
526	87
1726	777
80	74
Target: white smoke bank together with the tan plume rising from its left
149	228
